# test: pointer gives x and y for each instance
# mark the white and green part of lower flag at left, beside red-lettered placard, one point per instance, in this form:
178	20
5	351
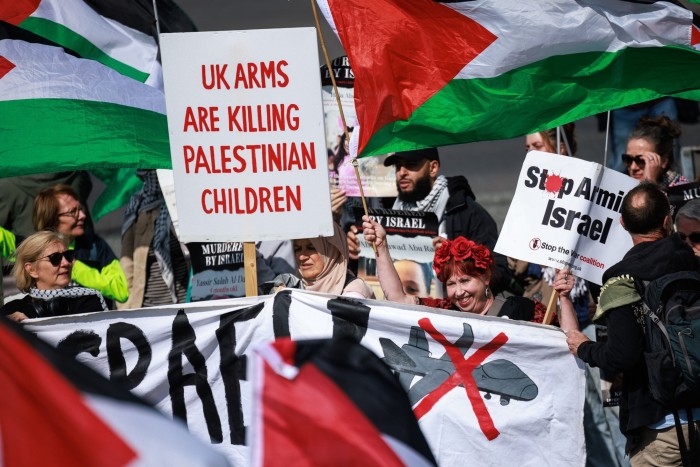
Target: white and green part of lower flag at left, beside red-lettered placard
68	113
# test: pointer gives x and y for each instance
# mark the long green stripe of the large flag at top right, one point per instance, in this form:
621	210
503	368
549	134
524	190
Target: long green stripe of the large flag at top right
542	95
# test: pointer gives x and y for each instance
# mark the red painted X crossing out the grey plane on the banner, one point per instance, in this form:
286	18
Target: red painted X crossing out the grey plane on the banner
462	375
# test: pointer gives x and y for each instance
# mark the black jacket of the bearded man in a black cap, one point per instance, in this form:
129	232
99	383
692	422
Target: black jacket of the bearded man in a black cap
465	217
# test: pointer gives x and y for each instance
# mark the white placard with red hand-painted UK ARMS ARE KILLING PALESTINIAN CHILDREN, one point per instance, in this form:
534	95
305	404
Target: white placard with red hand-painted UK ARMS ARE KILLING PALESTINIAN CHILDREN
246	128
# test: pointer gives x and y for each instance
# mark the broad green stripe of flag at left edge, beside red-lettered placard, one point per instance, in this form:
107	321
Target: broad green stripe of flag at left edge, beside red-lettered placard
52	135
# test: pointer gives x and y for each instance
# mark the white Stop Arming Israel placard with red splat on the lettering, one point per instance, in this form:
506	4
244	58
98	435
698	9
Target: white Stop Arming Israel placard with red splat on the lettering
566	212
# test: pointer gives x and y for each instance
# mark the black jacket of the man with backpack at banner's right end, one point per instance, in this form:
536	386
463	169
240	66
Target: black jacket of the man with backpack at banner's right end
624	349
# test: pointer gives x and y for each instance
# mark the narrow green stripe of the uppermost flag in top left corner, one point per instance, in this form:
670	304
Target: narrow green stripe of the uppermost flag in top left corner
84	48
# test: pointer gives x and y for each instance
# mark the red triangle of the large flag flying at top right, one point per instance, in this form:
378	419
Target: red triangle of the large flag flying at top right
402	53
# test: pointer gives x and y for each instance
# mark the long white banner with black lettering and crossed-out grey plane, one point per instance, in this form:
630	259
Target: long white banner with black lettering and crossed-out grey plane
480	387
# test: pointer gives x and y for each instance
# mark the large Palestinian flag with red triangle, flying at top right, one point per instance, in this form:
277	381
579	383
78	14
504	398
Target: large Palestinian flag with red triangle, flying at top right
432	74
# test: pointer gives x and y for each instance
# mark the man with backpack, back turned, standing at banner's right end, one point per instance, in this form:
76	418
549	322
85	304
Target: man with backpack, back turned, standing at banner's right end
645	214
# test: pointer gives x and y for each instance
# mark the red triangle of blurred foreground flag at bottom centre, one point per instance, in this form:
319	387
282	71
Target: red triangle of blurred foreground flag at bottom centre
310	421
